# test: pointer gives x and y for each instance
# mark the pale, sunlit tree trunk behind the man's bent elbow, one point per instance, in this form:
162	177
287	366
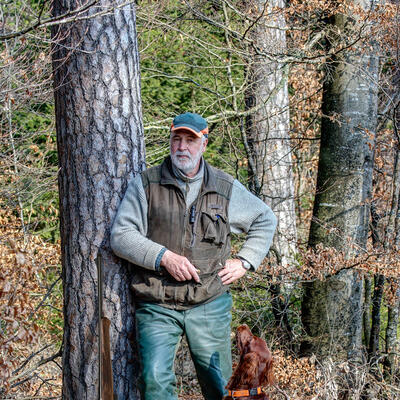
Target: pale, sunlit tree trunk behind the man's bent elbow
271	175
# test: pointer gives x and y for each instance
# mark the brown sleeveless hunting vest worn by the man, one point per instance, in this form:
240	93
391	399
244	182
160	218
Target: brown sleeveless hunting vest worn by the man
199	232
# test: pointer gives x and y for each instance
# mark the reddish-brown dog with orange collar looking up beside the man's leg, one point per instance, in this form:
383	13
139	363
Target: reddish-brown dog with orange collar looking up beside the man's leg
253	370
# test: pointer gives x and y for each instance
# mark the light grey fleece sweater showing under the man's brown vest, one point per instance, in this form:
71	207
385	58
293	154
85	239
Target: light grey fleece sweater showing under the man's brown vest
246	213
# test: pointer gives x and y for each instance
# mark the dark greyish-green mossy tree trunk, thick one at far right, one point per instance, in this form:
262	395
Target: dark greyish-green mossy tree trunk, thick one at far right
332	309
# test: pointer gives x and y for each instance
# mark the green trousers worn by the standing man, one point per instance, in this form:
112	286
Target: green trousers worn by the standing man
207	329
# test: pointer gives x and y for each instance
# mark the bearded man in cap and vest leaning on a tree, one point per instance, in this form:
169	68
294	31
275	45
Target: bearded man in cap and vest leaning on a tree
174	225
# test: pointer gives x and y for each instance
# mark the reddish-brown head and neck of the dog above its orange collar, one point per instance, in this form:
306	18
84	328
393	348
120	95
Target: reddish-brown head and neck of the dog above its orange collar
255	364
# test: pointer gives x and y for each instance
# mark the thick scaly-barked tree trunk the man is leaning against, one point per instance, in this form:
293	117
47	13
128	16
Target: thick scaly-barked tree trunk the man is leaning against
100	145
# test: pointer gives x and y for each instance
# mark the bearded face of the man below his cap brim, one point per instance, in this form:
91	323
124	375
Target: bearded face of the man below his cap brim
186	151
